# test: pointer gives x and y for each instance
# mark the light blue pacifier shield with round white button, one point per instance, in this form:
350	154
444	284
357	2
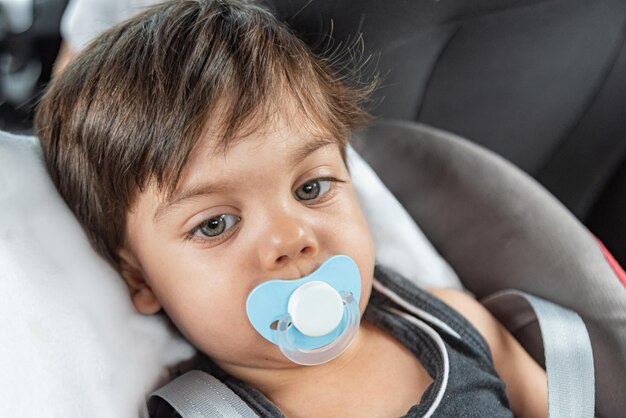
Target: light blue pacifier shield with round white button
313	304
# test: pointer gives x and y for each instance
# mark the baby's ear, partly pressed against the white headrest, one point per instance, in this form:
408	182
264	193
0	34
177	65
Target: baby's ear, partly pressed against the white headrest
141	293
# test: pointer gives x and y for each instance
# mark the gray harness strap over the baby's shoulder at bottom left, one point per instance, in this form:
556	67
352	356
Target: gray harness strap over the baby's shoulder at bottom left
197	394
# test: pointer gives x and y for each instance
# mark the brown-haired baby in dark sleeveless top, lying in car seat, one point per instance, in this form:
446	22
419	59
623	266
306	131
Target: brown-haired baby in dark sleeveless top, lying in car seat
202	147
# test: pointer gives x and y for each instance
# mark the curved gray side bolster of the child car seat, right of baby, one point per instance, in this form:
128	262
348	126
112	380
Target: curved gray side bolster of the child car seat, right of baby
499	229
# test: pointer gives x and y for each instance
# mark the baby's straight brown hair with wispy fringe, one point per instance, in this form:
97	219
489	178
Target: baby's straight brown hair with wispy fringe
130	108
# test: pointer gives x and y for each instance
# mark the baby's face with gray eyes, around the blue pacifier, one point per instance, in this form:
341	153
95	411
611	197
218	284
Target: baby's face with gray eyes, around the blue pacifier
275	205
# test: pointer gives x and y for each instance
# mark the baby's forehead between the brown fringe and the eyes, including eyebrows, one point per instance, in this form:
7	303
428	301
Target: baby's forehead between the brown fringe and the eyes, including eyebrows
280	143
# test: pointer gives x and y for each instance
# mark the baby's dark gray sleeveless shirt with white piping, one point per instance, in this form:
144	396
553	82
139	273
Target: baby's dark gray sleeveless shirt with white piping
465	383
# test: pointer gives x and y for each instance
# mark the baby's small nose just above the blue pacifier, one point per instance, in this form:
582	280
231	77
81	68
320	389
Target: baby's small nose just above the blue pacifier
289	239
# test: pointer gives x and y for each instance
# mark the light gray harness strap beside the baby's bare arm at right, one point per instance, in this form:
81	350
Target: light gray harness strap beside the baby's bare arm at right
568	355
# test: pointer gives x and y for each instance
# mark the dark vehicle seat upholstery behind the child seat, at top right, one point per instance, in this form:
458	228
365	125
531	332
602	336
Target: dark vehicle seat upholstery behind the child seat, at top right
540	82
